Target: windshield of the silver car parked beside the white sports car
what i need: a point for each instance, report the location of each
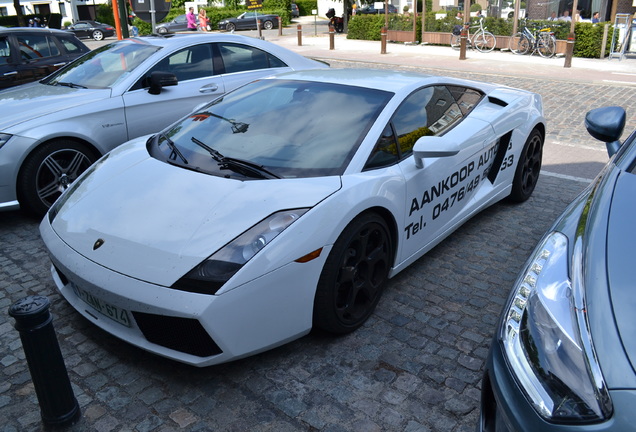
(103, 67)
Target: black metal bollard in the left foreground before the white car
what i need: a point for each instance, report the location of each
(58, 406)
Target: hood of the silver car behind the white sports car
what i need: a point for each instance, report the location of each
(24, 103)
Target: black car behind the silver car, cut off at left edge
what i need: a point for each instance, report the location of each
(28, 54)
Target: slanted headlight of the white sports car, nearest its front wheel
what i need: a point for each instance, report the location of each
(209, 276)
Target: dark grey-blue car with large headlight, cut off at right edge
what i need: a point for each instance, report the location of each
(564, 354)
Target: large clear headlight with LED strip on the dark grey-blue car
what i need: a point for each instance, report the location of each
(546, 339)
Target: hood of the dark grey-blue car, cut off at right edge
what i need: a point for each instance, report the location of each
(621, 238)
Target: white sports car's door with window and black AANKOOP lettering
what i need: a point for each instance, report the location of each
(438, 194)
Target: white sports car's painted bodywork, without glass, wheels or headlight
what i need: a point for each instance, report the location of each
(152, 236)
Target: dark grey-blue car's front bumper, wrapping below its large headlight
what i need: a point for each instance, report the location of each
(504, 407)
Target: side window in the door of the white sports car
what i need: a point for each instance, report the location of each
(427, 111)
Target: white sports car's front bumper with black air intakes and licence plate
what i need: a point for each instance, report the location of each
(196, 329)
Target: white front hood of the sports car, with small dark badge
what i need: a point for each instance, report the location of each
(158, 221)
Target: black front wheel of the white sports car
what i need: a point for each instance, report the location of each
(354, 275)
